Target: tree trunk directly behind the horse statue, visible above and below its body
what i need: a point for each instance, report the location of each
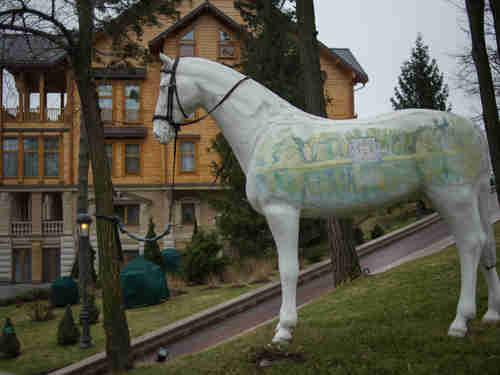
(345, 260)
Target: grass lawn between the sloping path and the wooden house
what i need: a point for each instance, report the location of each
(40, 352)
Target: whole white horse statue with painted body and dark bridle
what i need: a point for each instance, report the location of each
(298, 164)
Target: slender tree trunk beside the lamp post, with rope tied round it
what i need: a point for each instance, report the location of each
(114, 319)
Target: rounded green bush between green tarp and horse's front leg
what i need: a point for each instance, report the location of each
(203, 258)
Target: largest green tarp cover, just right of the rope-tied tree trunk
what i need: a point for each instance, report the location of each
(143, 283)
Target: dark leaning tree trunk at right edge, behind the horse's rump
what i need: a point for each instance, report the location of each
(475, 13)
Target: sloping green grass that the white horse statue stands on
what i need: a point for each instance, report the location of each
(393, 323)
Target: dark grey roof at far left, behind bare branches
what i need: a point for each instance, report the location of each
(28, 50)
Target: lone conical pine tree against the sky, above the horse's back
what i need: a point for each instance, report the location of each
(421, 85)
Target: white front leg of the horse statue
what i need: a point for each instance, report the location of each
(284, 223)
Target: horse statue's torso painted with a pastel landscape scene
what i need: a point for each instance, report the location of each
(324, 166)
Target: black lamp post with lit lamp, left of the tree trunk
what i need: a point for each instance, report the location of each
(84, 220)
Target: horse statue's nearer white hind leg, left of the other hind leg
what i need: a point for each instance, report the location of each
(458, 205)
